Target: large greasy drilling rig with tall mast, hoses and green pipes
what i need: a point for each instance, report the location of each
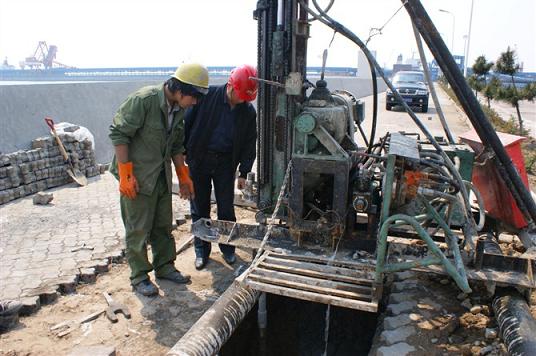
(330, 211)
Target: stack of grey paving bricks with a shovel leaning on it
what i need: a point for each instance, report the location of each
(27, 172)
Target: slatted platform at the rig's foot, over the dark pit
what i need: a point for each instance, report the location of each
(341, 283)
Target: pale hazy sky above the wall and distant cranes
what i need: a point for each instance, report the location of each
(142, 33)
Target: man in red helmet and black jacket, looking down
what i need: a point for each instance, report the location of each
(220, 136)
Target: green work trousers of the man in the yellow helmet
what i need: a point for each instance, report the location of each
(147, 219)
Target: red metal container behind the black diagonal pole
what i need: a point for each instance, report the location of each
(498, 200)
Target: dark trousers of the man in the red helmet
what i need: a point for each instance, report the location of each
(218, 169)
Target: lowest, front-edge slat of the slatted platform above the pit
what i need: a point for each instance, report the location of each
(314, 297)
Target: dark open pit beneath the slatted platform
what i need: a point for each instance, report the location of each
(296, 328)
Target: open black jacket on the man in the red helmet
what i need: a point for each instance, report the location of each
(200, 121)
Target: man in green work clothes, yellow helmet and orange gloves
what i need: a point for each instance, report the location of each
(147, 133)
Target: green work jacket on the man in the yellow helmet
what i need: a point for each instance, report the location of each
(141, 123)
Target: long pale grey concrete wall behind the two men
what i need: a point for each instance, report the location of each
(89, 104)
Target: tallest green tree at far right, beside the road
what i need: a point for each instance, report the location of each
(506, 64)
